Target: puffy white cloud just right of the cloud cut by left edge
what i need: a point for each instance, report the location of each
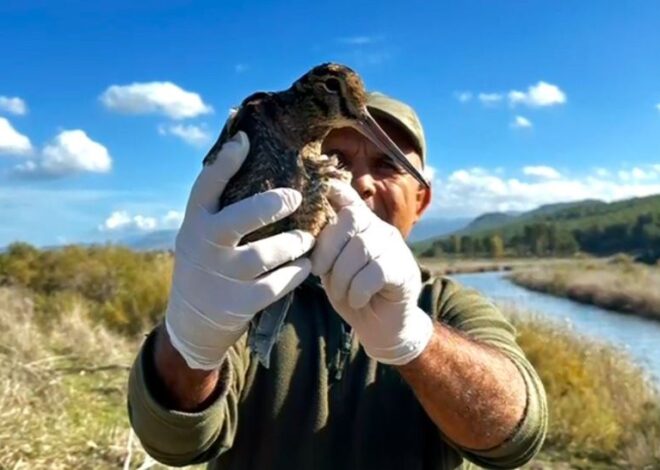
(69, 153)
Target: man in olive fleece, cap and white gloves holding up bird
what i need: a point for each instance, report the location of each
(377, 366)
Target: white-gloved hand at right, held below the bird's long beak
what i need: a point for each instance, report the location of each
(371, 279)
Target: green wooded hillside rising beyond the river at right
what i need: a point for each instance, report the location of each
(631, 225)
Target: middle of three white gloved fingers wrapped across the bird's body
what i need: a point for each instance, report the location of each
(257, 258)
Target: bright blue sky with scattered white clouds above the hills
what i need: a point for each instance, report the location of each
(107, 110)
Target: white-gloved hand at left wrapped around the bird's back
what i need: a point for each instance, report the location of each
(219, 286)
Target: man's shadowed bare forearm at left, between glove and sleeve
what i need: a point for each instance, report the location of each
(183, 388)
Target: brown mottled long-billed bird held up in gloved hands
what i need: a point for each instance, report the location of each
(286, 130)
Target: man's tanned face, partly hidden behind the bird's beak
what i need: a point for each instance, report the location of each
(394, 195)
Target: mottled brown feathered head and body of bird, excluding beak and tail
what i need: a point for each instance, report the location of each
(286, 130)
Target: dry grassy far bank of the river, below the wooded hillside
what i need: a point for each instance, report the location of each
(617, 284)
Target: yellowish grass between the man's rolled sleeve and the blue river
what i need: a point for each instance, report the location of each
(604, 412)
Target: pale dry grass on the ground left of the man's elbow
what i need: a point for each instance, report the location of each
(58, 408)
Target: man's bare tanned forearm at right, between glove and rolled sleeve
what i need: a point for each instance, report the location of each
(473, 393)
